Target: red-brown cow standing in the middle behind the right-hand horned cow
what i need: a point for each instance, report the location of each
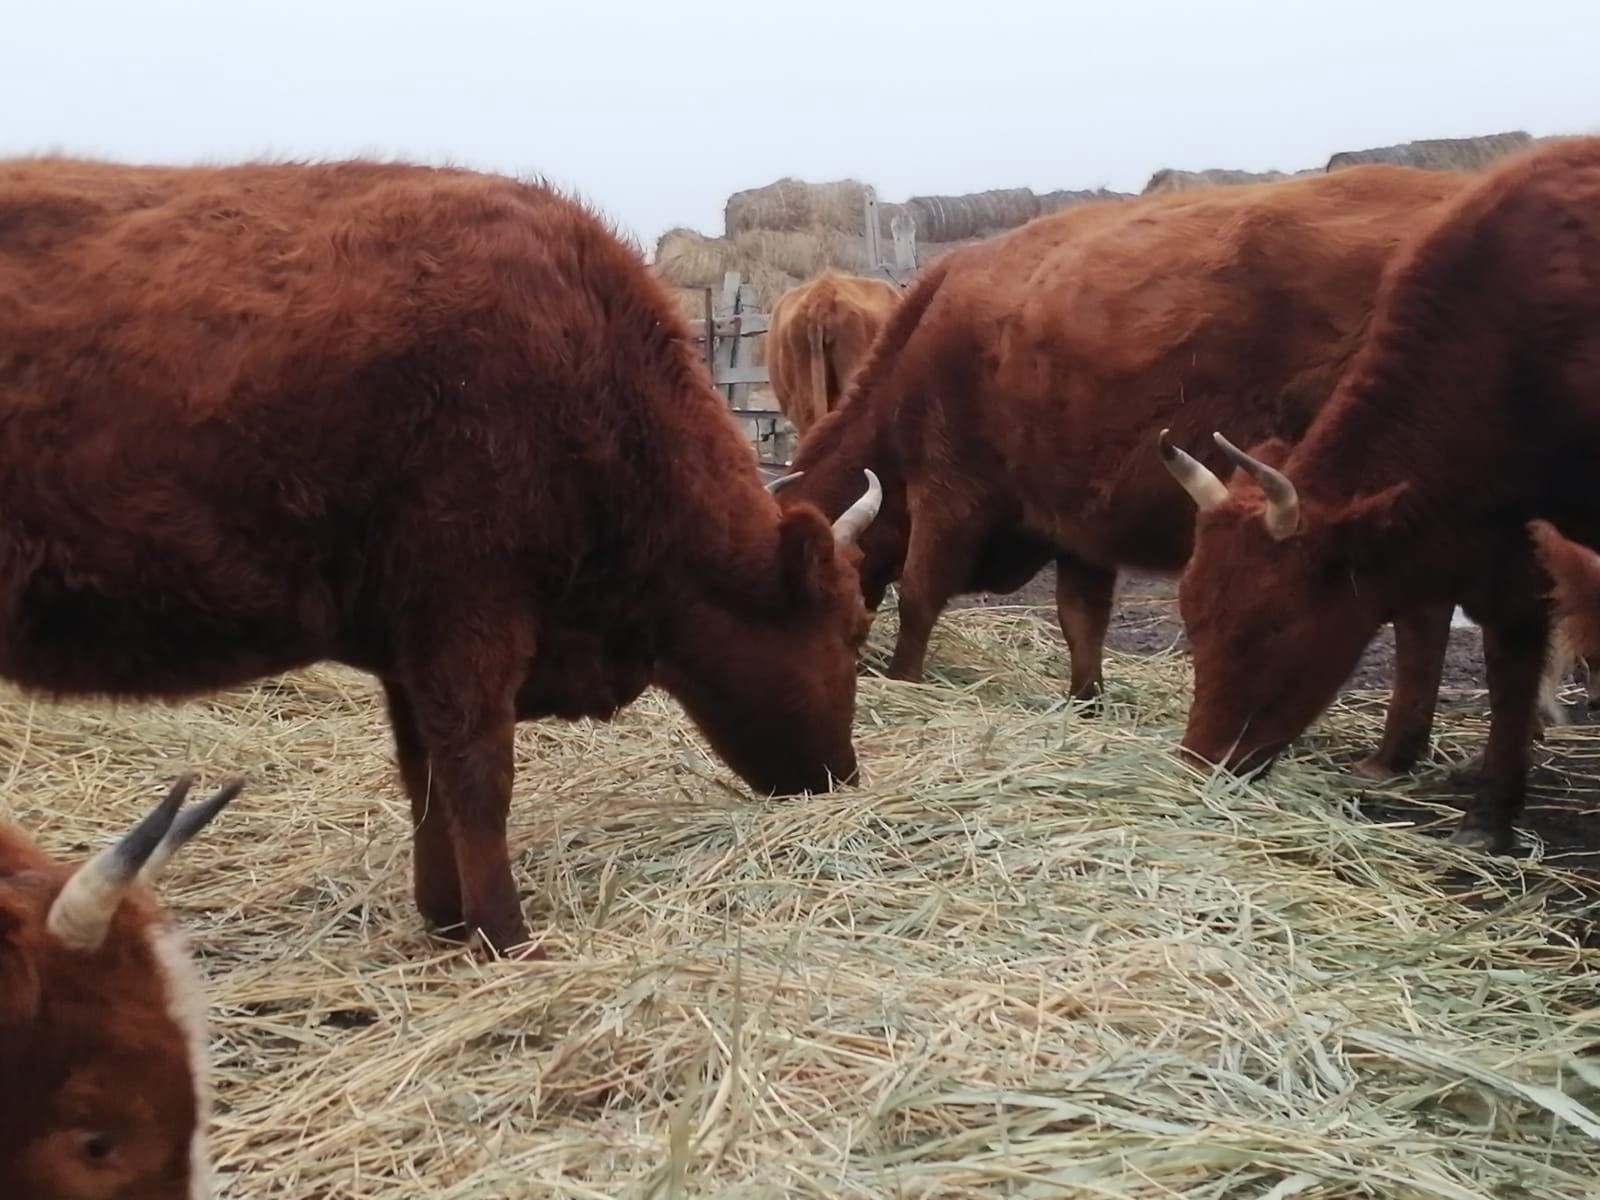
(1012, 402)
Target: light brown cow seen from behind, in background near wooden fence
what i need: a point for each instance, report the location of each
(817, 338)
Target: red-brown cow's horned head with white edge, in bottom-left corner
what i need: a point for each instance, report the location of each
(103, 1038)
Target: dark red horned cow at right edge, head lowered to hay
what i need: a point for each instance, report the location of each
(1473, 406)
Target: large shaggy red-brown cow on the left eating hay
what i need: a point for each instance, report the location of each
(434, 425)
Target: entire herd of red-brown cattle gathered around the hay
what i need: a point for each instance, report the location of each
(447, 428)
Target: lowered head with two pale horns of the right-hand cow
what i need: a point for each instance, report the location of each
(1278, 601)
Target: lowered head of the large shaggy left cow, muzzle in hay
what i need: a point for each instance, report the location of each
(772, 684)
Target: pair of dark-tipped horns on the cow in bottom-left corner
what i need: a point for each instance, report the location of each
(84, 910)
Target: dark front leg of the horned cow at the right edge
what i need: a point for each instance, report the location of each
(1514, 663)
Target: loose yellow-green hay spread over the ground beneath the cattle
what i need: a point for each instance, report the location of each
(1033, 958)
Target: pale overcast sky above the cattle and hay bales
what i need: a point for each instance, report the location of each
(658, 111)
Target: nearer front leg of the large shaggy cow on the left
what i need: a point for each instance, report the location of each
(466, 718)
